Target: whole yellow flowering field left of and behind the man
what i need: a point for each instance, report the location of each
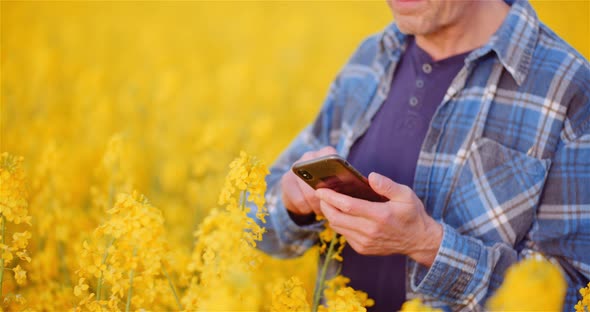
(109, 107)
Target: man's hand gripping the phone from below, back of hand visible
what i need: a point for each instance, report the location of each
(400, 225)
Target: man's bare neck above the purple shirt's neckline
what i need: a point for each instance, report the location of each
(471, 32)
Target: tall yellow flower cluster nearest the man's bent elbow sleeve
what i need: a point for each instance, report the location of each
(224, 256)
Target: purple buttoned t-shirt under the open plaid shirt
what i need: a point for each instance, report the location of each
(390, 147)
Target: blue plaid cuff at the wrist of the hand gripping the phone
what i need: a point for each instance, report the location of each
(451, 276)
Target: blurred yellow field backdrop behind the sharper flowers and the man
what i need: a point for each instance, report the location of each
(178, 89)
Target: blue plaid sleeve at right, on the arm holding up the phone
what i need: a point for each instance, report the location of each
(466, 271)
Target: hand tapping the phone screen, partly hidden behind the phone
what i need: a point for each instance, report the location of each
(298, 197)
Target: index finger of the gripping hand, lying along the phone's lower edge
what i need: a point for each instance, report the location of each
(350, 205)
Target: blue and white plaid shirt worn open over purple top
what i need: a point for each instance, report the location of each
(504, 167)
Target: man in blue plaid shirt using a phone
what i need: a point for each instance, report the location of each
(473, 119)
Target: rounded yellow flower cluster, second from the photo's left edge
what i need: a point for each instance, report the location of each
(125, 258)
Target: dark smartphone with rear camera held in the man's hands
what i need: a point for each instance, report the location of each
(334, 172)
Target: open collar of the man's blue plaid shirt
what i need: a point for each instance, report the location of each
(514, 42)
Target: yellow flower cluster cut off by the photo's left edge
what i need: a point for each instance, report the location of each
(13, 212)
